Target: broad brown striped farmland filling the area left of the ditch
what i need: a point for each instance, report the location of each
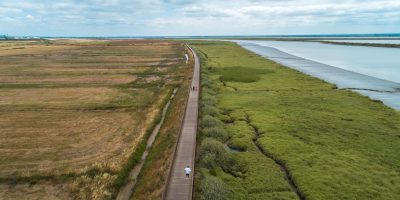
(72, 111)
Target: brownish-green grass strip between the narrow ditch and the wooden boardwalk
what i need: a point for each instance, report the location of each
(153, 176)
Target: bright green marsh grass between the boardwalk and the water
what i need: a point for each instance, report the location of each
(332, 144)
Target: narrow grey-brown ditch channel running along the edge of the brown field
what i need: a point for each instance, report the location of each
(126, 191)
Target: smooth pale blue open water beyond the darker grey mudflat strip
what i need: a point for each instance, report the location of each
(383, 63)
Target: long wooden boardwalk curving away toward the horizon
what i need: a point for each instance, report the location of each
(179, 187)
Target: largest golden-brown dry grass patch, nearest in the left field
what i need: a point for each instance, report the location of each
(55, 142)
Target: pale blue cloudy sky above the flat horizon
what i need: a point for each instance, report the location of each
(197, 17)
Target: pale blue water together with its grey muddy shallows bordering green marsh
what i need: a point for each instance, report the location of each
(371, 71)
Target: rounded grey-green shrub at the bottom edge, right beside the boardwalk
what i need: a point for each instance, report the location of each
(212, 188)
